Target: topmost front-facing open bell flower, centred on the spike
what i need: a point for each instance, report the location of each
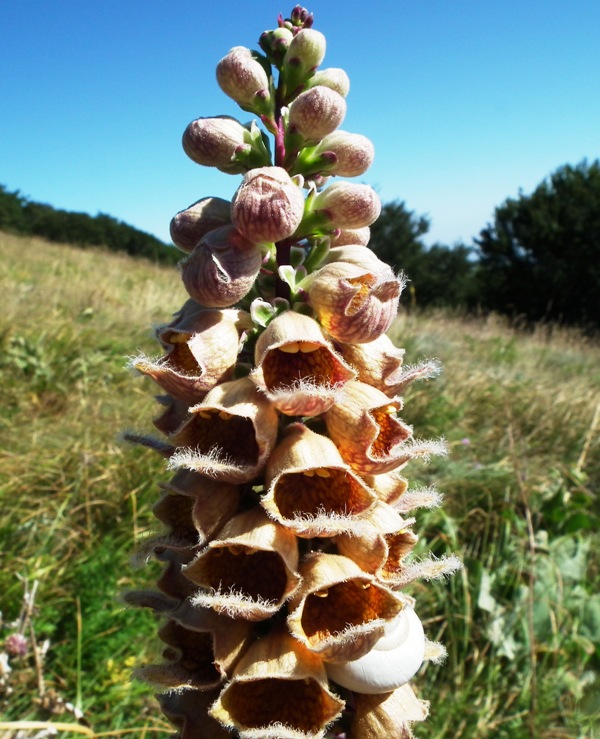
(297, 367)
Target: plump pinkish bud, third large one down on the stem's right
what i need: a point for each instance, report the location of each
(316, 113)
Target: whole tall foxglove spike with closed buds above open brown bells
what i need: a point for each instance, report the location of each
(287, 530)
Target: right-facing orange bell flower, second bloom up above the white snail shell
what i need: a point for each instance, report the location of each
(382, 544)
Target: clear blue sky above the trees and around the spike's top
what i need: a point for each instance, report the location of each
(466, 101)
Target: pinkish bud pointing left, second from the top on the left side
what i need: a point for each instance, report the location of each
(214, 142)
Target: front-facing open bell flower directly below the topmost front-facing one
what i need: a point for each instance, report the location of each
(311, 490)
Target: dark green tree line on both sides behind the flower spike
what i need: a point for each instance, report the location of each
(538, 260)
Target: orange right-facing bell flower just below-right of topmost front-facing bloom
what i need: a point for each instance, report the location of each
(364, 427)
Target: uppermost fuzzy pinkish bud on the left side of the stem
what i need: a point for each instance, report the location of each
(241, 76)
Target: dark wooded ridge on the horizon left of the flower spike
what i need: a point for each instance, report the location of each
(19, 215)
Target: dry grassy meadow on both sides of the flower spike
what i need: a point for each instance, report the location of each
(521, 415)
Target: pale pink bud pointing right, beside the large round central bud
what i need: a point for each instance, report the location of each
(348, 205)
